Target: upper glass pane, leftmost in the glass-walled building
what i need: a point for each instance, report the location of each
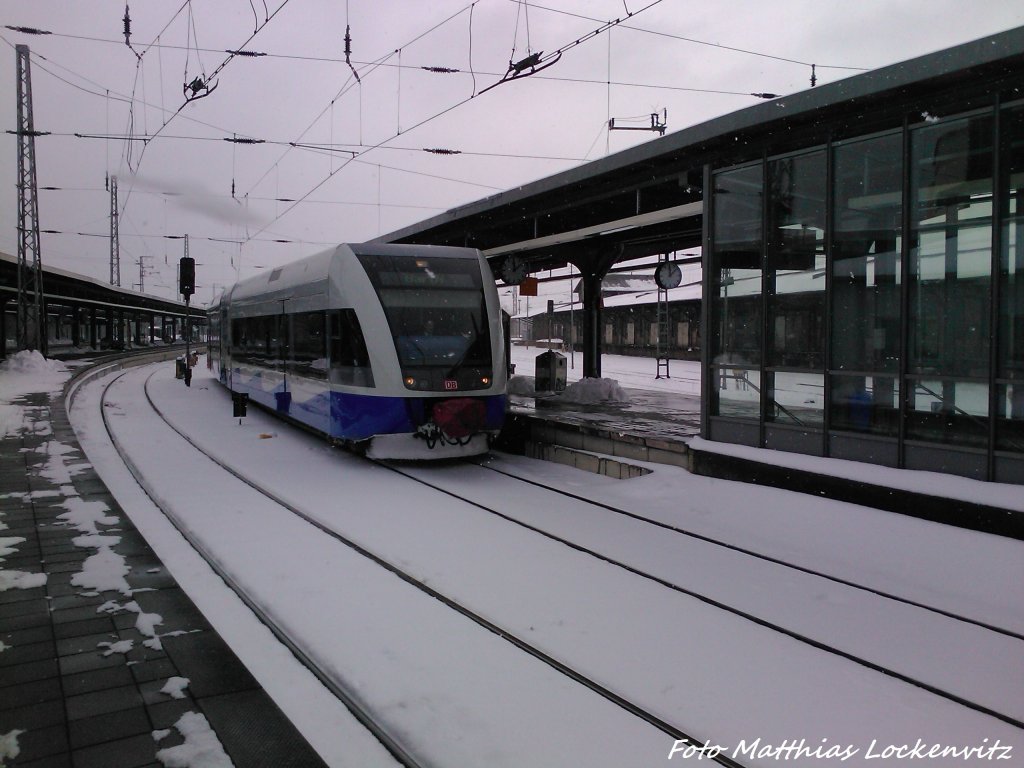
(738, 201)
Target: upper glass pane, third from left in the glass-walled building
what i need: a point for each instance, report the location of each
(866, 255)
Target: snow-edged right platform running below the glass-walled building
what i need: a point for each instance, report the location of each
(663, 428)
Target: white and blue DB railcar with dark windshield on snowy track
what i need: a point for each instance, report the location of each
(397, 352)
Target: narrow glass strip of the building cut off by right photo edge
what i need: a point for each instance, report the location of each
(1010, 424)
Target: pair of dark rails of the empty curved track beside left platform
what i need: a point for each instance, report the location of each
(396, 746)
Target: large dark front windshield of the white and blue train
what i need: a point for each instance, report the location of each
(436, 311)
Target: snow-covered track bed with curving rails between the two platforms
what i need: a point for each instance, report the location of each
(456, 694)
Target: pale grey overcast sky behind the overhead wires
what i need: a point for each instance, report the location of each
(697, 61)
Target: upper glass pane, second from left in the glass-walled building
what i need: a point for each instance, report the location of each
(797, 262)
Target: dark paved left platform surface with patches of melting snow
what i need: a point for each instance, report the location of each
(78, 706)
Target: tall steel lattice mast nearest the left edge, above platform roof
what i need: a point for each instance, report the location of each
(31, 321)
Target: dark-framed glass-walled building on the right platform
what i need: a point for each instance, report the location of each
(866, 294)
